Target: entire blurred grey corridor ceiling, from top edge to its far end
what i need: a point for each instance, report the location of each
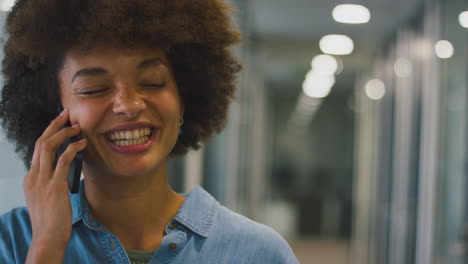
(287, 32)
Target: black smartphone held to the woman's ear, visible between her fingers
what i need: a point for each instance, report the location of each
(74, 174)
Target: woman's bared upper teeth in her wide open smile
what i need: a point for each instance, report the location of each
(124, 138)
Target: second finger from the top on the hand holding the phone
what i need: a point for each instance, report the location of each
(50, 146)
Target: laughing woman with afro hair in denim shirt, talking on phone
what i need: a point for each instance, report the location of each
(140, 81)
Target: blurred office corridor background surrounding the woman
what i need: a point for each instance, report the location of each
(348, 134)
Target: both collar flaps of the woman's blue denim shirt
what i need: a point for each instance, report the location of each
(197, 212)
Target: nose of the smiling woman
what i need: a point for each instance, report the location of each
(129, 102)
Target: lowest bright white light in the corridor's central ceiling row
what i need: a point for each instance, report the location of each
(317, 85)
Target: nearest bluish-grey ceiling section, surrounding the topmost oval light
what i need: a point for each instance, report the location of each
(310, 19)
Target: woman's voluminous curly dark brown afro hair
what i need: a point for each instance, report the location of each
(195, 35)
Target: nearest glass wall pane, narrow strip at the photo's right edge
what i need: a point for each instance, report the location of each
(451, 236)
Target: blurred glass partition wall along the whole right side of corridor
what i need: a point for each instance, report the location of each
(410, 189)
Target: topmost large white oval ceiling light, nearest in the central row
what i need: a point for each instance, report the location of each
(351, 14)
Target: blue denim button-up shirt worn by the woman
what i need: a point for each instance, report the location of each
(203, 231)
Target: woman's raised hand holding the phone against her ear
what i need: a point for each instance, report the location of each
(46, 190)
